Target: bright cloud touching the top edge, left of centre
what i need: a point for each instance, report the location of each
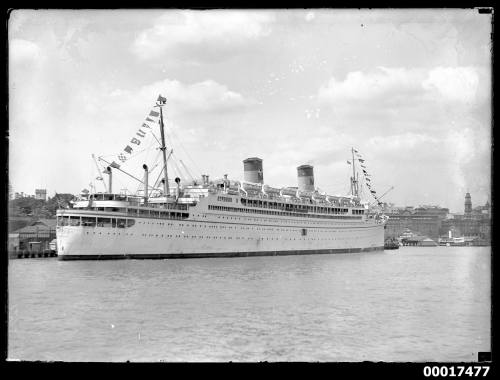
(212, 29)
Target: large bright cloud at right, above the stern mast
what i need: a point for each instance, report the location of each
(416, 100)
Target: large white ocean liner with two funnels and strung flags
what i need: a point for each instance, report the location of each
(216, 218)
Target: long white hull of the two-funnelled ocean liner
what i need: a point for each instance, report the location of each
(190, 238)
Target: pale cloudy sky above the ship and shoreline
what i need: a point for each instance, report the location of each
(409, 89)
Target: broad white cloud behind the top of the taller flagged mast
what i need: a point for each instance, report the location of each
(187, 107)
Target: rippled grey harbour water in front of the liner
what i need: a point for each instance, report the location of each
(412, 304)
